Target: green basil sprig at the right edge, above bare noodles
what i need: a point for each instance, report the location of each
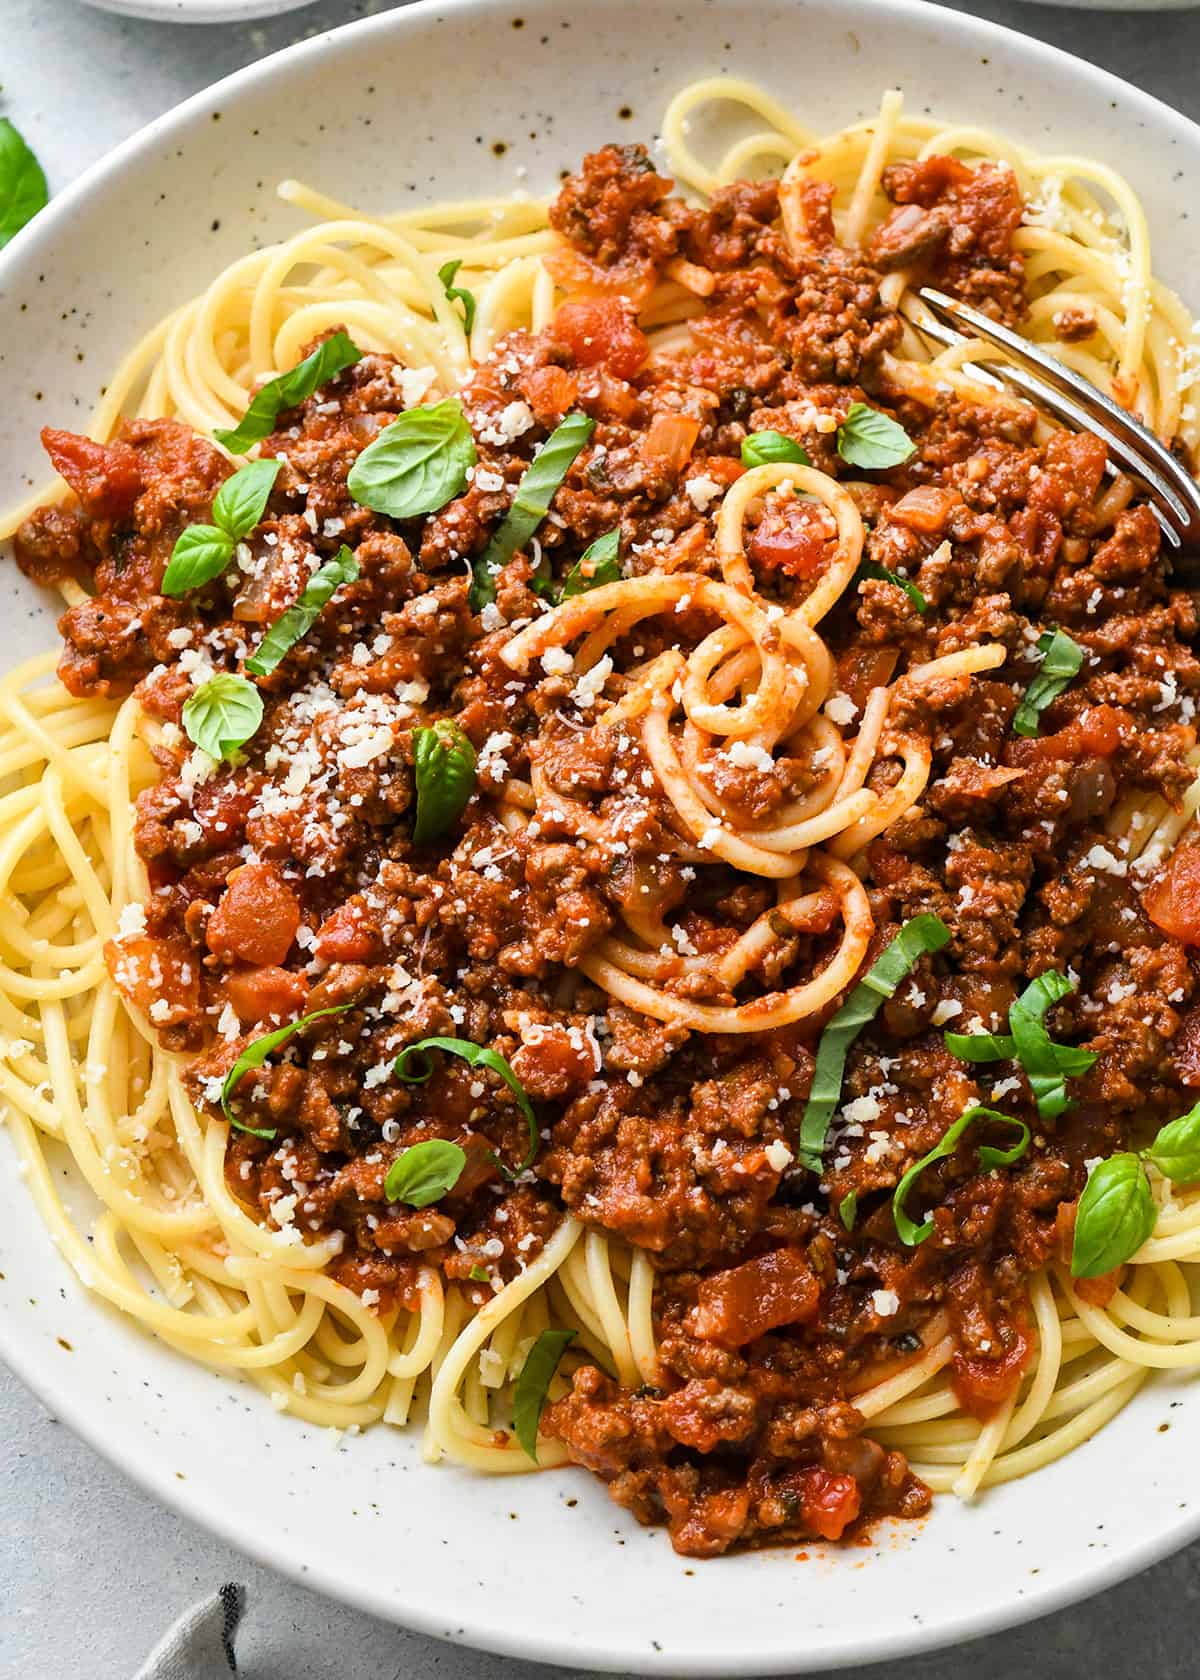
(1117, 1212)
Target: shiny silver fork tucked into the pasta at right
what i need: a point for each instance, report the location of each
(1171, 490)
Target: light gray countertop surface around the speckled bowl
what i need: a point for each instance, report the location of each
(78, 81)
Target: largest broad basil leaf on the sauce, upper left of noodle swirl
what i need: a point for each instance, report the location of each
(418, 463)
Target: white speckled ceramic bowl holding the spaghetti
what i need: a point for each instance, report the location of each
(389, 112)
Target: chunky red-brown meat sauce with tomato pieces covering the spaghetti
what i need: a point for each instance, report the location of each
(290, 885)
